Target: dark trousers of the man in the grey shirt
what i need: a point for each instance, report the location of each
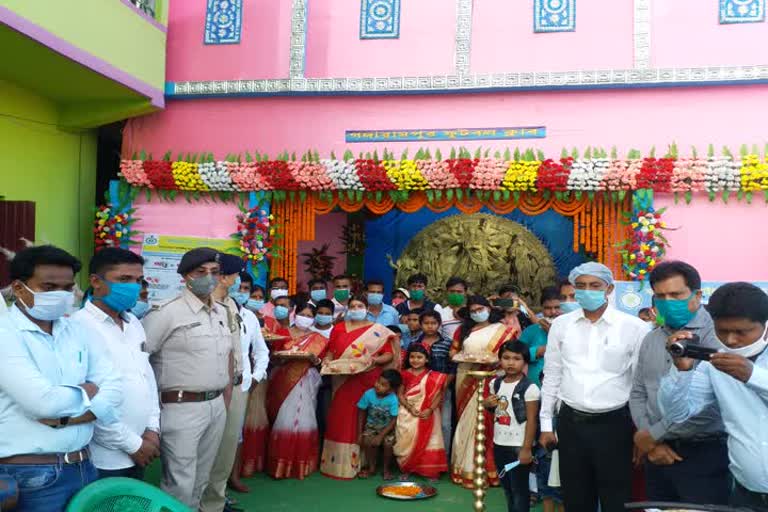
(702, 477)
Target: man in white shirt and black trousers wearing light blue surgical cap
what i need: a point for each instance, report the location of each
(590, 358)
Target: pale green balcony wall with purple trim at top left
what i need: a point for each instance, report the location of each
(107, 29)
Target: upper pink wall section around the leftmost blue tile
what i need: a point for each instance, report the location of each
(262, 53)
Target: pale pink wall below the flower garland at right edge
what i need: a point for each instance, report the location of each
(714, 237)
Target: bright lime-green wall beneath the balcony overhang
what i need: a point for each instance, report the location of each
(53, 168)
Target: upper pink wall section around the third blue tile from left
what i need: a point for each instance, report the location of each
(503, 38)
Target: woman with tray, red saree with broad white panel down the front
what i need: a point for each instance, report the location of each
(294, 442)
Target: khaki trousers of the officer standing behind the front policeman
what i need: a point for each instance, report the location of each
(215, 493)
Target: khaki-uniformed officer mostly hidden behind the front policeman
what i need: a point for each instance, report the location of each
(214, 497)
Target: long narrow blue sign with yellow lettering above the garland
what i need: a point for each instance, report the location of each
(436, 134)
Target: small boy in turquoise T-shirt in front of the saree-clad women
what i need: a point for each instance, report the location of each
(377, 413)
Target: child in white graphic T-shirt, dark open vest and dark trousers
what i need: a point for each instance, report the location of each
(515, 403)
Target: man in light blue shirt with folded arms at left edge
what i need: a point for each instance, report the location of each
(55, 382)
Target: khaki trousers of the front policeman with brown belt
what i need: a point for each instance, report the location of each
(191, 435)
